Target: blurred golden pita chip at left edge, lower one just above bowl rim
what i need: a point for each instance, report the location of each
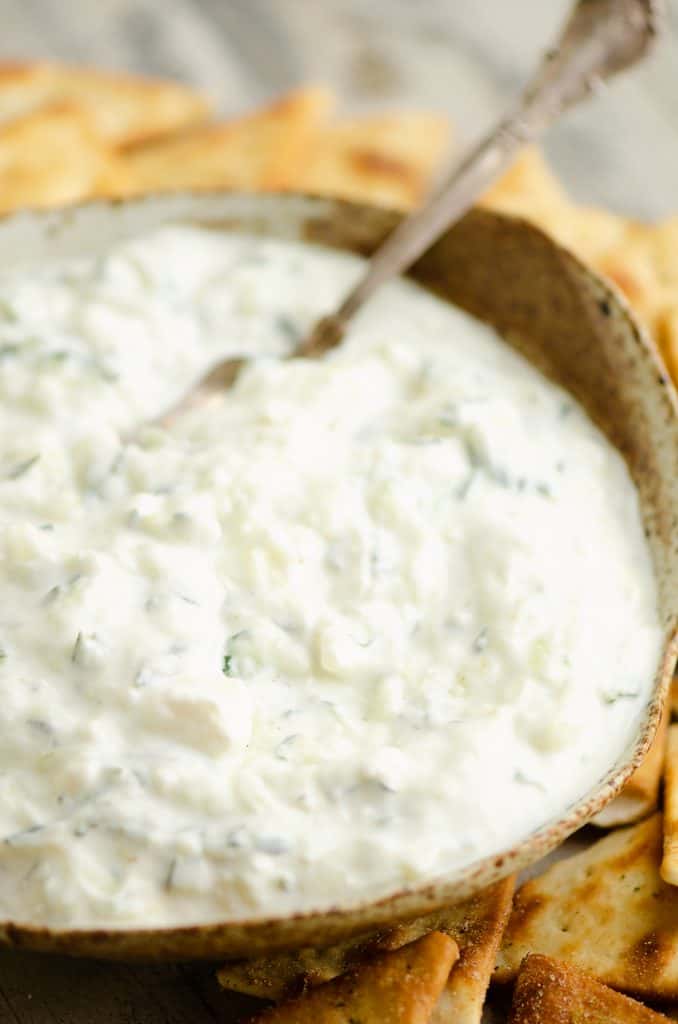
(50, 158)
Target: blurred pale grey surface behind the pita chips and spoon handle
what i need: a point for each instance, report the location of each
(468, 58)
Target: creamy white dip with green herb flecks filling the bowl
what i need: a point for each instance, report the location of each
(354, 624)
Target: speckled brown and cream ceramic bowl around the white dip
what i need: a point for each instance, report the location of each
(570, 324)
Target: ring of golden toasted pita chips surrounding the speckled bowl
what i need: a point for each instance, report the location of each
(594, 931)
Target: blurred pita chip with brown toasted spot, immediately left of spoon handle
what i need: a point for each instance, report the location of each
(387, 159)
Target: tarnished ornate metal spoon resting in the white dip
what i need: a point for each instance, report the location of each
(600, 39)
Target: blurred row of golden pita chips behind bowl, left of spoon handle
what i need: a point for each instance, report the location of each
(69, 135)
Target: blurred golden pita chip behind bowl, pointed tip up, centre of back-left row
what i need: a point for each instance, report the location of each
(253, 153)
